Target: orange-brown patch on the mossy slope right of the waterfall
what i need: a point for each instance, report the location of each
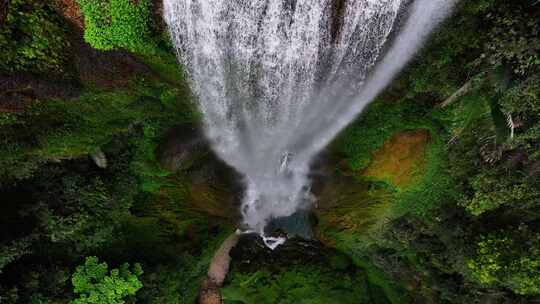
(401, 159)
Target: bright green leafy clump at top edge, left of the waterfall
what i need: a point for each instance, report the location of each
(112, 24)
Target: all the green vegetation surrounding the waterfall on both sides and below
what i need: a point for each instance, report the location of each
(92, 211)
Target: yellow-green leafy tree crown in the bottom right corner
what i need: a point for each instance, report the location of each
(503, 260)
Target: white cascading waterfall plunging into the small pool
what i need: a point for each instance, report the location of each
(277, 80)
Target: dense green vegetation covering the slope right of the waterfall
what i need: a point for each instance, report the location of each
(477, 85)
